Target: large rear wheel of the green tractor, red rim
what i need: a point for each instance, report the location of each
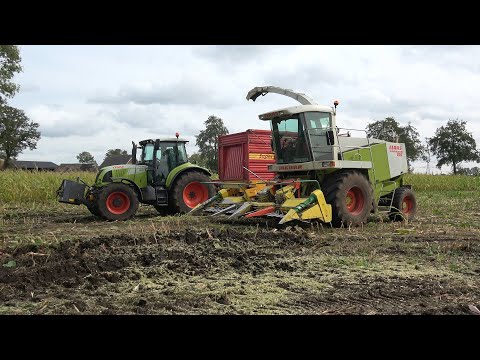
(191, 178)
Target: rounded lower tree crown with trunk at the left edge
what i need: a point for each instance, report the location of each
(17, 132)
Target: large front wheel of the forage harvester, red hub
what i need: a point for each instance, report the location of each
(351, 186)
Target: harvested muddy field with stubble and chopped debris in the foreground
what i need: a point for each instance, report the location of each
(68, 262)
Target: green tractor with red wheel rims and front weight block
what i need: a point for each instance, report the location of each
(163, 177)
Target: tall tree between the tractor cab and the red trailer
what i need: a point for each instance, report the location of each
(207, 141)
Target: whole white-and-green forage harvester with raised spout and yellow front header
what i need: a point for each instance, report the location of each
(323, 172)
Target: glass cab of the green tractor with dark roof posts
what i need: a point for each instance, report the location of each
(161, 156)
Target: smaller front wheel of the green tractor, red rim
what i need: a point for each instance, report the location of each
(117, 202)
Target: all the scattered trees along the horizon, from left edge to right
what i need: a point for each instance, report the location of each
(451, 144)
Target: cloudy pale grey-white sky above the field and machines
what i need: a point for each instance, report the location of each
(94, 98)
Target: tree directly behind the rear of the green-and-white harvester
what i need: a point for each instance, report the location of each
(390, 130)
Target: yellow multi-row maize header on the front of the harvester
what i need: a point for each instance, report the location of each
(268, 199)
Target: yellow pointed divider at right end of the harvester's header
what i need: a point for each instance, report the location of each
(315, 207)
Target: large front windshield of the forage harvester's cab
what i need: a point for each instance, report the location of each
(289, 139)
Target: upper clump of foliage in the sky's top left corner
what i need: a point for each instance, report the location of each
(9, 66)
